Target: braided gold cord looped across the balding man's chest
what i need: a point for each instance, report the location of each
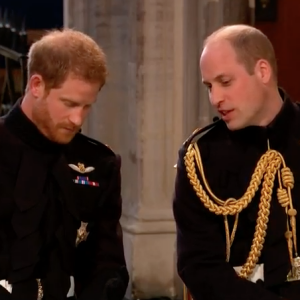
(270, 164)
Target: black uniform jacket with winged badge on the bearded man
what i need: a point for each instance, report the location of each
(46, 192)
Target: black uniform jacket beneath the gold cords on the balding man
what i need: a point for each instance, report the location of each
(229, 159)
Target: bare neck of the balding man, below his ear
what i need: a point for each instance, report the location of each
(273, 105)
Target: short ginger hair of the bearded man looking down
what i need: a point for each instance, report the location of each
(61, 53)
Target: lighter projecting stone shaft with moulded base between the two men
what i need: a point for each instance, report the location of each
(155, 75)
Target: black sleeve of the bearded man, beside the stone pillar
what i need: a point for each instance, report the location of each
(109, 278)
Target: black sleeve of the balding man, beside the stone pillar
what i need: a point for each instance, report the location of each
(201, 249)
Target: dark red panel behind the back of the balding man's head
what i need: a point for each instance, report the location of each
(285, 36)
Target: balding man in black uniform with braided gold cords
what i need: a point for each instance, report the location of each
(237, 187)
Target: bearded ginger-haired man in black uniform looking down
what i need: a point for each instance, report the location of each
(60, 191)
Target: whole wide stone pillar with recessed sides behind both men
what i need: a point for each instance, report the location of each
(152, 101)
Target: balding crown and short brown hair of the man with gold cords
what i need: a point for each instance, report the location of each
(249, 43)
